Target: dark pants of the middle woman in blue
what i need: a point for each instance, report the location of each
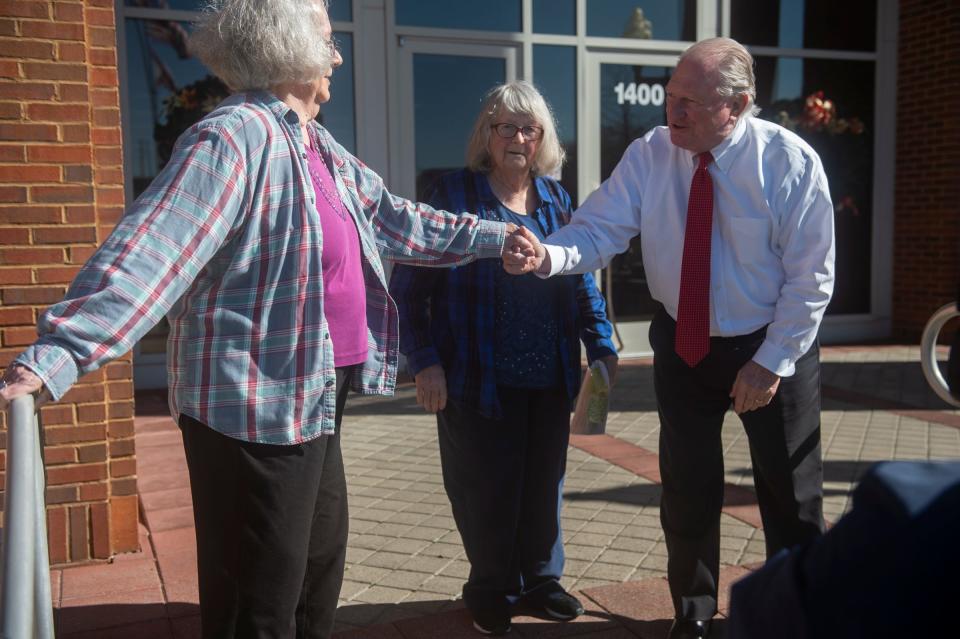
(504, 479)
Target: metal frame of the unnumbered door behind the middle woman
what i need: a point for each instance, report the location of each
(407, 46)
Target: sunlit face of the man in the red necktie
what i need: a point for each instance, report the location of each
(699, 118)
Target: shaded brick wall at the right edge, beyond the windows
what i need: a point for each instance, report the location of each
(927, 206)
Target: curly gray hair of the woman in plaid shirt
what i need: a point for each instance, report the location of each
(256, 44)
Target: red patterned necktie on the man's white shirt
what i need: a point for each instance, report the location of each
(692, 341)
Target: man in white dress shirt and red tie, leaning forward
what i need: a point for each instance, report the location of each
(736, 228)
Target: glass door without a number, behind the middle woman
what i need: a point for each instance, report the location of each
(442, 85)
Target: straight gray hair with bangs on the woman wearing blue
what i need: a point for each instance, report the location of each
(518, 98)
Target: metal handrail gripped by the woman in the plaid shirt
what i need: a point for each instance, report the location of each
(26, 608)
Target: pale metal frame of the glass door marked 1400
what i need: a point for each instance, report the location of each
(632, 338)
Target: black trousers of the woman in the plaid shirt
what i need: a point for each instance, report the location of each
(271, 527)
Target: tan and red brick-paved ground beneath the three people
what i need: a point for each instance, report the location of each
(405, 564)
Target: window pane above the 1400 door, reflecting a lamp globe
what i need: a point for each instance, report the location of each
(642, 19)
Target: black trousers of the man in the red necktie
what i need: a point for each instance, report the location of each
(784, 439)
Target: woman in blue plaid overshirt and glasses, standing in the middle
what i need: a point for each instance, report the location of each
(497, 357)
